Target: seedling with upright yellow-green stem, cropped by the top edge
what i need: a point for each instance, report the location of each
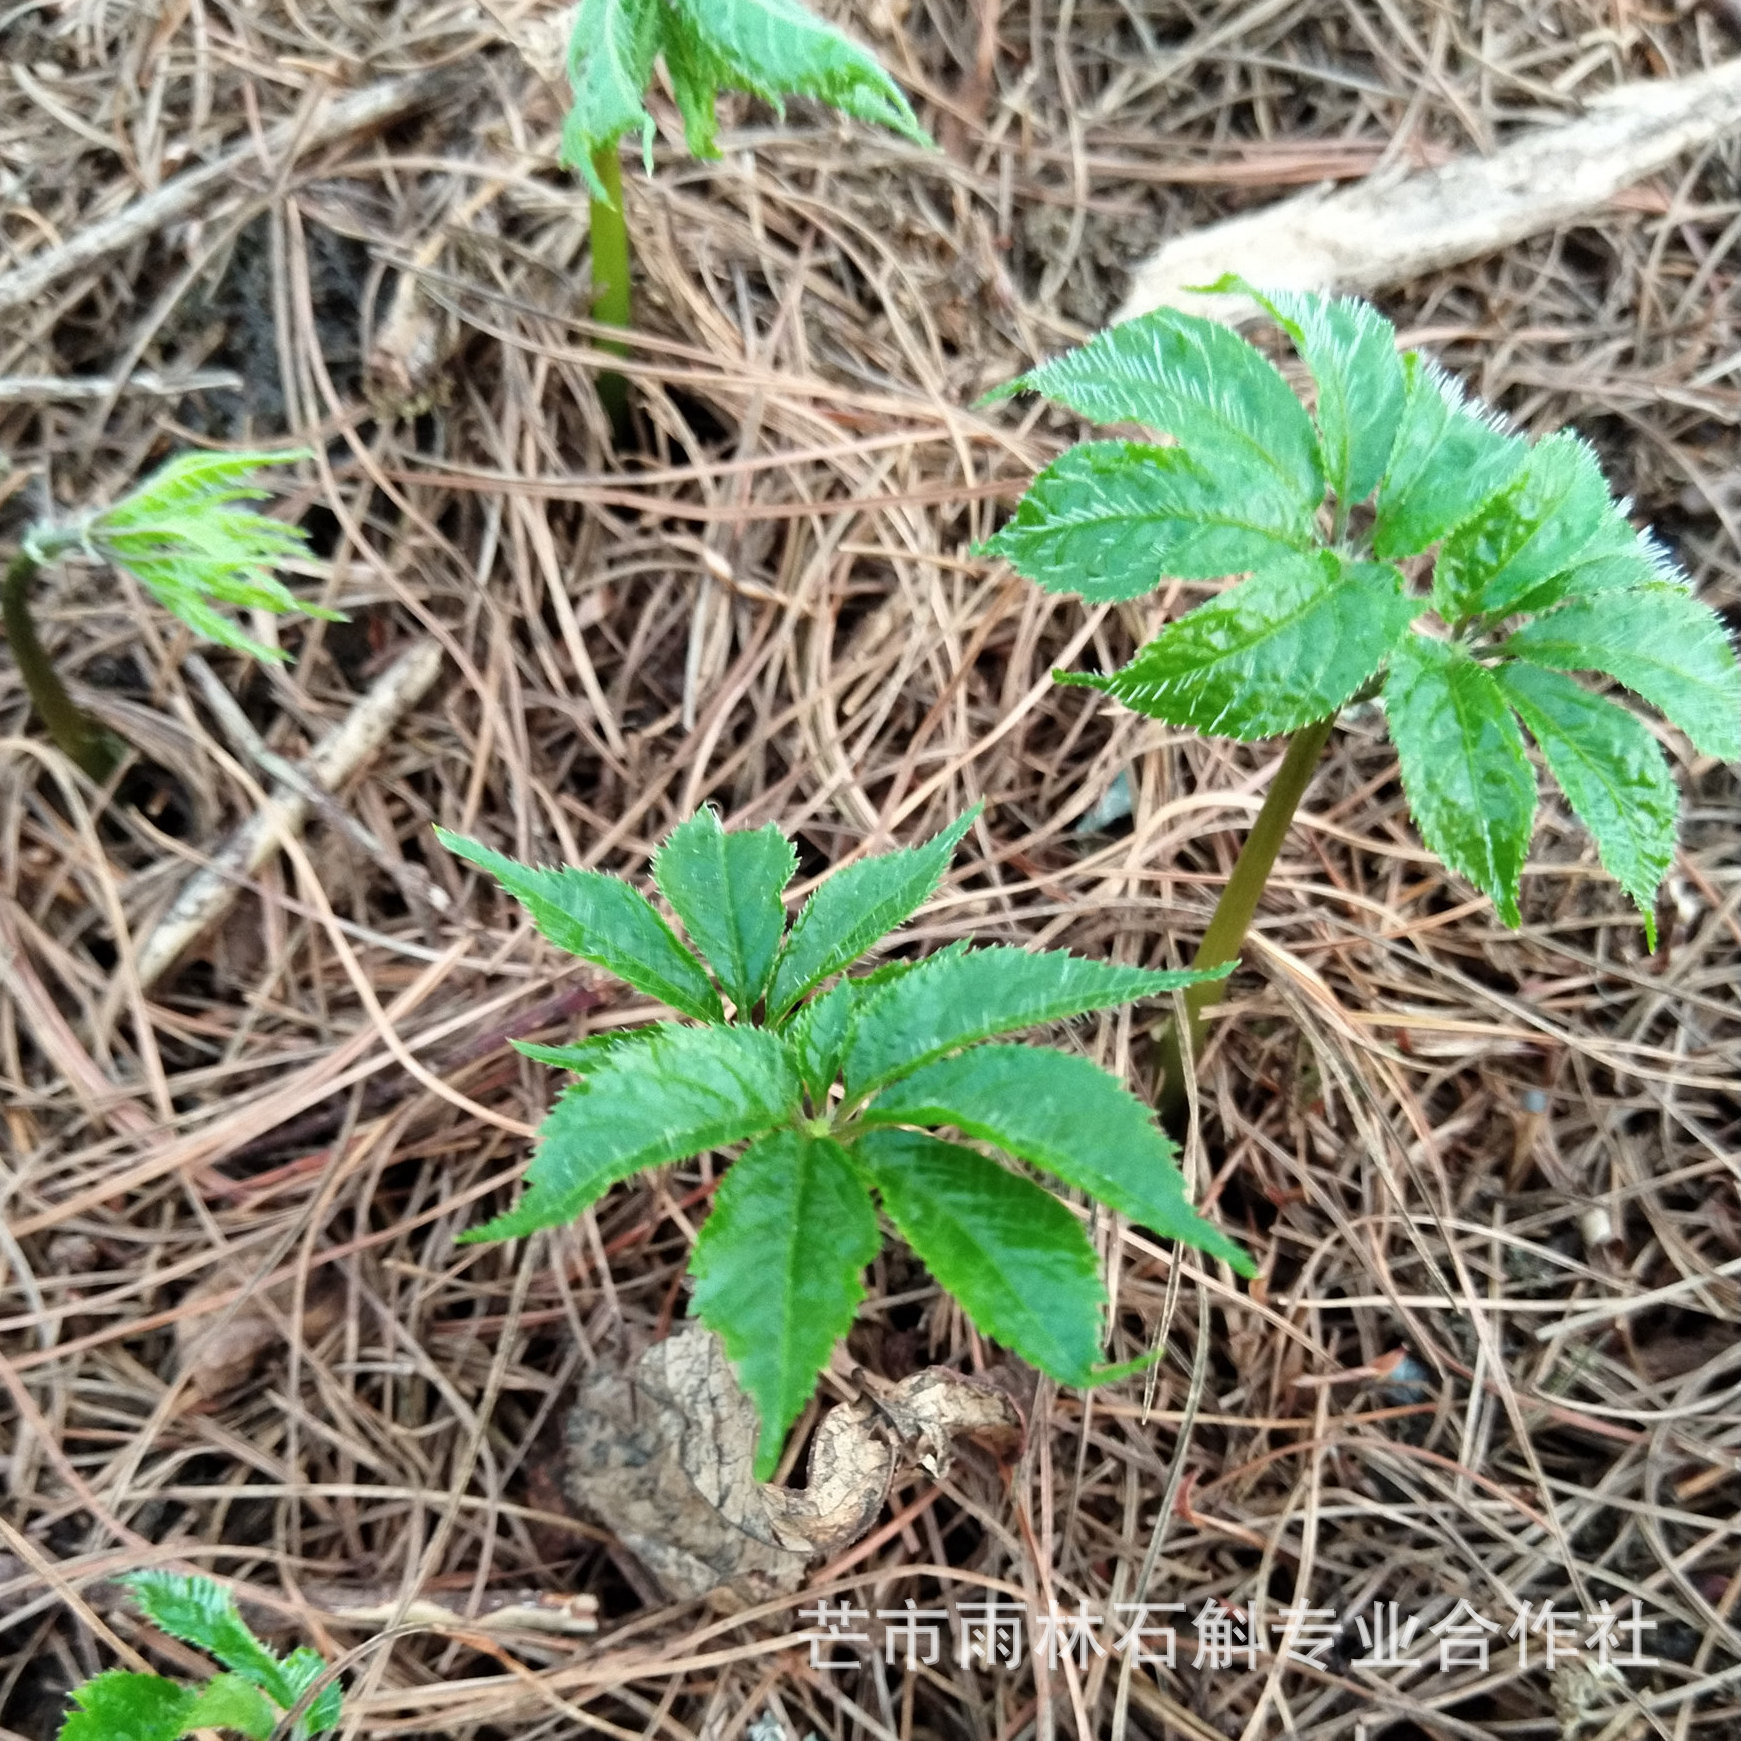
(767, 48)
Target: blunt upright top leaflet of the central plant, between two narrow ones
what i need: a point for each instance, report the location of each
(727, 891)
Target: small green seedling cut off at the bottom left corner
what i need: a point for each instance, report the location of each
(255, 1695)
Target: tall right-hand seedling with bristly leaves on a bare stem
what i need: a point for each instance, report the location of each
(1399, 544)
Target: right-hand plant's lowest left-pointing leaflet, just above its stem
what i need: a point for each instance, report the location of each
(1270, 655)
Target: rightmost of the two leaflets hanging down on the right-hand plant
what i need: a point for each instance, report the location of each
(1610, 769)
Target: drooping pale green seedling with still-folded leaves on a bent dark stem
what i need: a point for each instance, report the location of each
(185, 539)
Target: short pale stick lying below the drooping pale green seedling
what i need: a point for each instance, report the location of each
(210, 894)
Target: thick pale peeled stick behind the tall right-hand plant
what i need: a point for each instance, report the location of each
(1388, 231)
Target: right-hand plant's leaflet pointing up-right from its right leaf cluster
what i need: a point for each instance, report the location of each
(1519, 541)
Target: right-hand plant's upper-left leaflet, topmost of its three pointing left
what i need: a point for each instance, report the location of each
(1220, 398)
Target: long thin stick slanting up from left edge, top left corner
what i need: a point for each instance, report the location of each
(187, 192)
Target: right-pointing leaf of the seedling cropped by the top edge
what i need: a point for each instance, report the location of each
(777, 50)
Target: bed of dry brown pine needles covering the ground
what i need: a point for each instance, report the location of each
(1491, 1176)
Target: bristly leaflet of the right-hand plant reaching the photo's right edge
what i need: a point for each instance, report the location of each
(1658, 642)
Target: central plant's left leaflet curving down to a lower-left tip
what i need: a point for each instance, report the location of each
(675, 1096)
